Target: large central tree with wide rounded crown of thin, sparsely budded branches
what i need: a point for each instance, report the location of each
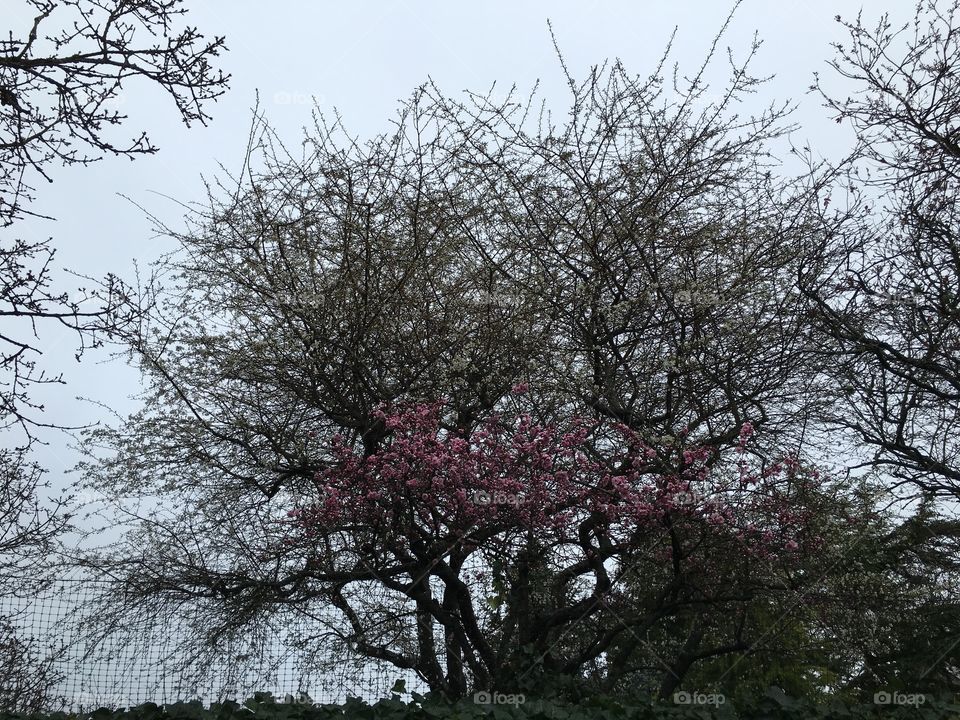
(639, 267)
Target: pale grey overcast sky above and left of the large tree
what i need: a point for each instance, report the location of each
(362, 58)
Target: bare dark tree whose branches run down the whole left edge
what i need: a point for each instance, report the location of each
(57, 94)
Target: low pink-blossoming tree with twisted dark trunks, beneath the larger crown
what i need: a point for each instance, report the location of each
(508, 551)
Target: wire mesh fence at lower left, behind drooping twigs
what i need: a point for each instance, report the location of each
(58, 653)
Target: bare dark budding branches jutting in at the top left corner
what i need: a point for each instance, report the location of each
(58, 91)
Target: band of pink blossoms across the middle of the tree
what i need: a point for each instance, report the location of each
(429, 477)
